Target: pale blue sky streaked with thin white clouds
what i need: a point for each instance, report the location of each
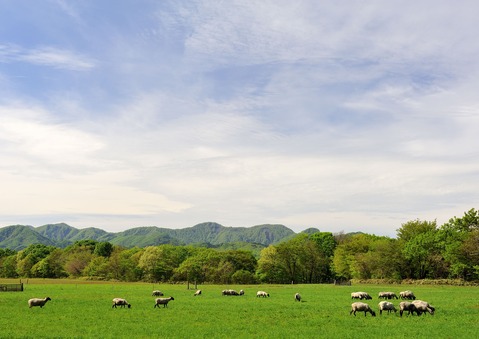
(344, 116)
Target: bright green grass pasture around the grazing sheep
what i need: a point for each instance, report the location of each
(80, 309)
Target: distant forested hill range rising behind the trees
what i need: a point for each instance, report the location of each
(17, 237)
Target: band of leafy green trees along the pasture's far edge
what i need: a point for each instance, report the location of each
(421, 250)
